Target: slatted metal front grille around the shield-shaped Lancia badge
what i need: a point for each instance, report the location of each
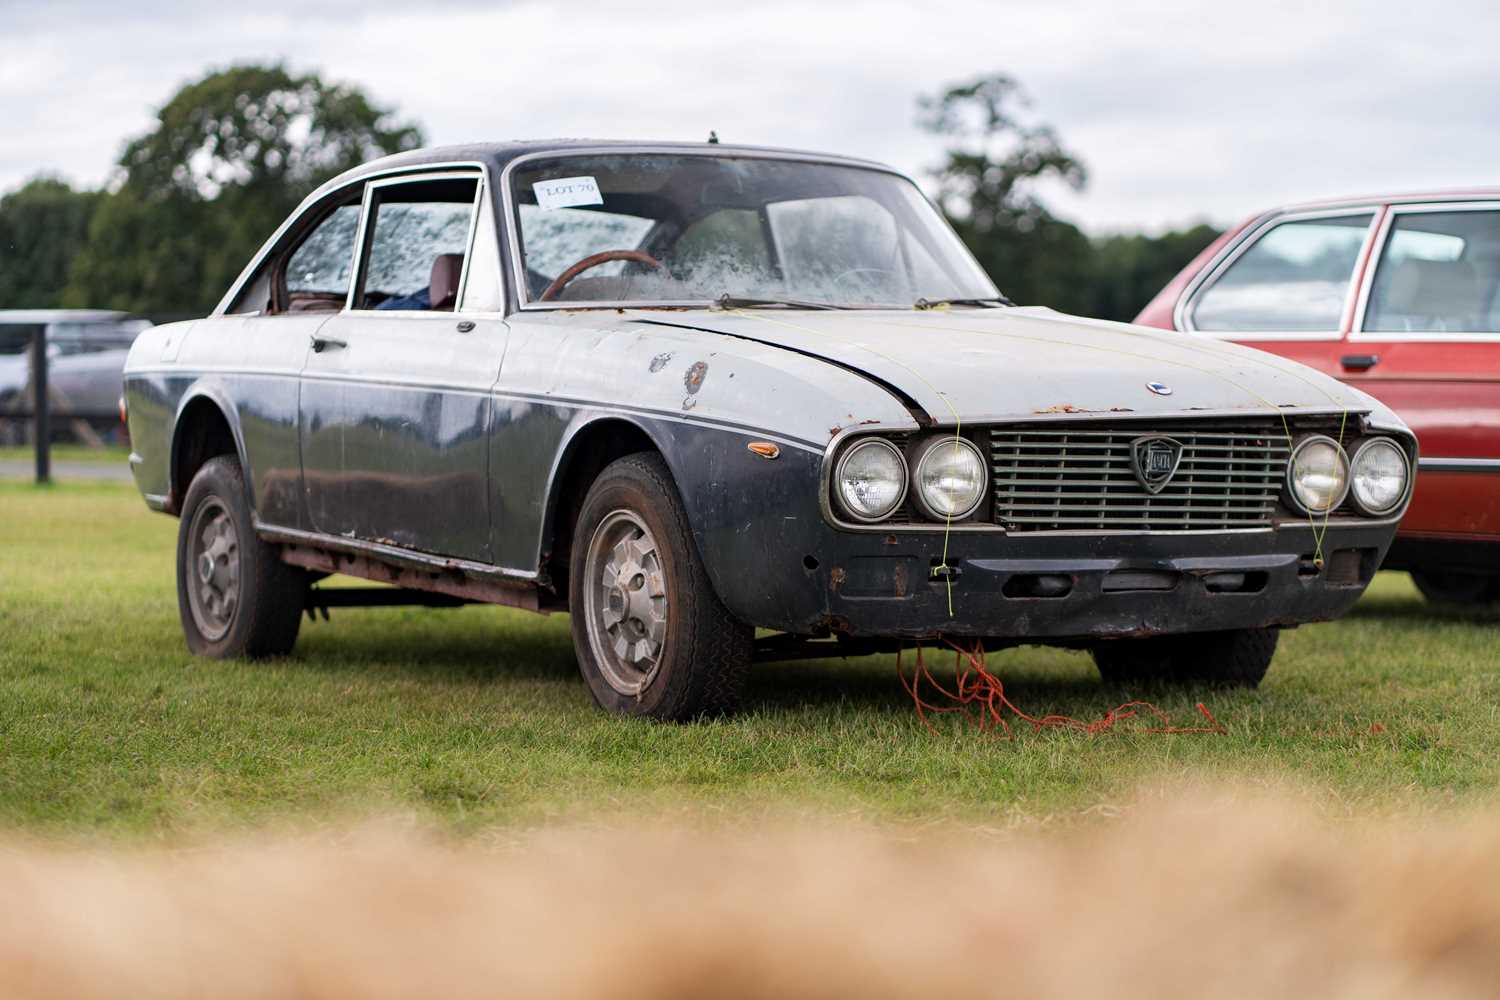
(1079, 478)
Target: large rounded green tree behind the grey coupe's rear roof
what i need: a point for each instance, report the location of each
(232, 155)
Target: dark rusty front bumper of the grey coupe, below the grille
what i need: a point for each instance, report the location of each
(1061, 588)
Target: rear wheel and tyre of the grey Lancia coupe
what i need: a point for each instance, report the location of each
(235, 594)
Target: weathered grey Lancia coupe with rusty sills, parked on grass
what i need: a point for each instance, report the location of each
(694, 392)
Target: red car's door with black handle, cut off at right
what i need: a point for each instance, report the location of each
(1427, 344)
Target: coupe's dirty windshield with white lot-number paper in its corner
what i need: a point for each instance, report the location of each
(646, 229)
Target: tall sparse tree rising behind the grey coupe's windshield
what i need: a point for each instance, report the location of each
(988, 188)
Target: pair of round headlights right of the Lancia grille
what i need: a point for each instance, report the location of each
(1321, 476)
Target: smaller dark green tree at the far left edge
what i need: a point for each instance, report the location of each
(43, 227)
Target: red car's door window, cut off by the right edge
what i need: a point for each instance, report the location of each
(1439, 274)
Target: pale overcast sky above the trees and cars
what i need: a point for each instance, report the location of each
(1183, 112)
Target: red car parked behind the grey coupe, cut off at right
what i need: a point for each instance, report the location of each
(1400, 298)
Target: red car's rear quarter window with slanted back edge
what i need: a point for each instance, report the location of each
(1295, 278)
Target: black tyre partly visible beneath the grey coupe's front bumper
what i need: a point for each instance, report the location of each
(1237, 659)
